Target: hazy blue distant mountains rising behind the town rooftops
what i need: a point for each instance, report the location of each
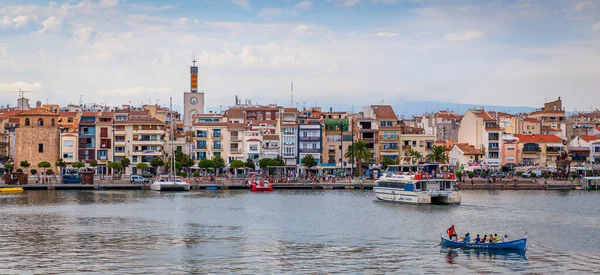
(412, 108)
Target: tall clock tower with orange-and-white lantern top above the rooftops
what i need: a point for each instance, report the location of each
(193, 101)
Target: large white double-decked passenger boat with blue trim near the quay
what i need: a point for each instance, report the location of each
(418, 184)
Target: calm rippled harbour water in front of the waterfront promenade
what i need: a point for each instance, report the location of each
(142, 232)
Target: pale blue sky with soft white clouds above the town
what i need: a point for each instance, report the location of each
(358, 52)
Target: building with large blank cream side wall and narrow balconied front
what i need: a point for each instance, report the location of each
(481, 130)
